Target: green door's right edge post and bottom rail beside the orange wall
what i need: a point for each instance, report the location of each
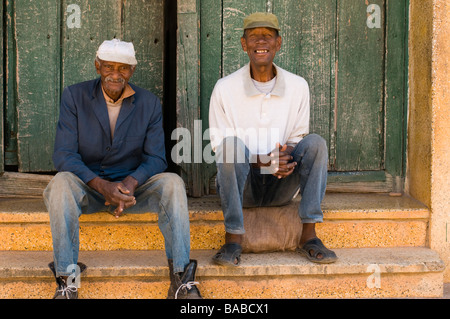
(391, 179)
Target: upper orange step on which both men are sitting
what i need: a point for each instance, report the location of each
(350, 221)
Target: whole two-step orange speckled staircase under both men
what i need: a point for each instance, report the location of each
(381, 242)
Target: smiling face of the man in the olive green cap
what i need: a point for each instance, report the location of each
(261, 45)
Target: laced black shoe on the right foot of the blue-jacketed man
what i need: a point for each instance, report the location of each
(183, 285)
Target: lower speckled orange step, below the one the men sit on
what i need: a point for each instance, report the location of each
(411, 272)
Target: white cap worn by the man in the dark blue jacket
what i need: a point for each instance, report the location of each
(117, 51)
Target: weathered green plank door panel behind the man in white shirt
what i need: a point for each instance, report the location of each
(323, 40)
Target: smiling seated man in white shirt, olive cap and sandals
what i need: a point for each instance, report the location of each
(259, 128)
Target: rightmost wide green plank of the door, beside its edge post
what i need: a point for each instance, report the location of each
(360, 91)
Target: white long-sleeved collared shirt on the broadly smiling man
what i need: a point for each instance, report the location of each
(238, 108)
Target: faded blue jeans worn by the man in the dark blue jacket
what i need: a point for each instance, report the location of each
(67, 197)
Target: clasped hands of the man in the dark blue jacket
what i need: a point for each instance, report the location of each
(117, 194)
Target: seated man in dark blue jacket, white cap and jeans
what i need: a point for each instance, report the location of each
(110, 155)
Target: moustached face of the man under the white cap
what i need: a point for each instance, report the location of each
(114, 76)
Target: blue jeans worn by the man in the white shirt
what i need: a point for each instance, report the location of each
(241, 185)
